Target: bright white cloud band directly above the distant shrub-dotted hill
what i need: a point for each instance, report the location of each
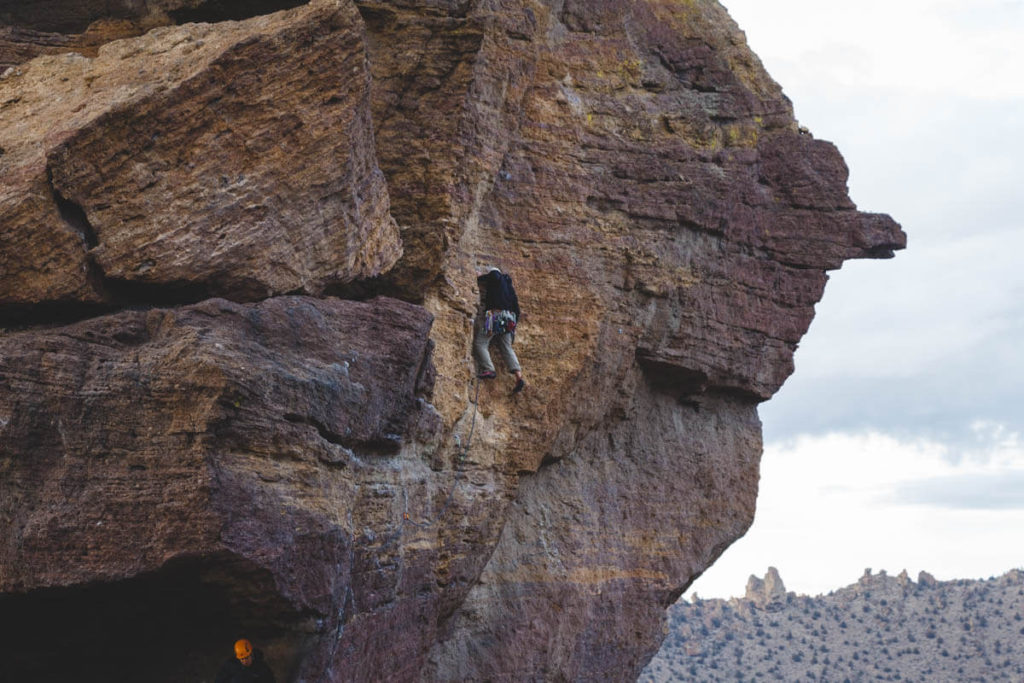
(834, 505)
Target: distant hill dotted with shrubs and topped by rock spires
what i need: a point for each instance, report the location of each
(880, 629)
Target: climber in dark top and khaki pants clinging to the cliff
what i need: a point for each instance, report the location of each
(497, 316)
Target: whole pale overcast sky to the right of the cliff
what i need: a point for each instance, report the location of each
(898, 443)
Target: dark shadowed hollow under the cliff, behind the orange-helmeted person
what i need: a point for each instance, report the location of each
(178, 624)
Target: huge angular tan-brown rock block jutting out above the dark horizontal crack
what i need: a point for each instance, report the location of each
(169, 180)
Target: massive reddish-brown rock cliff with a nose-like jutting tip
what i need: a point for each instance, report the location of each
(238, 280)
